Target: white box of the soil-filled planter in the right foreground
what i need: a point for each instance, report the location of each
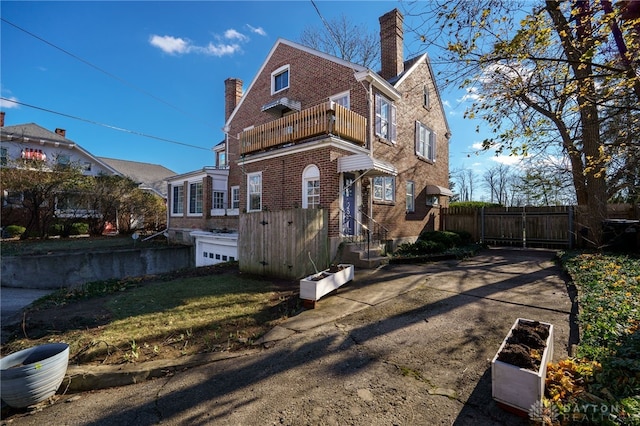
(519, 388)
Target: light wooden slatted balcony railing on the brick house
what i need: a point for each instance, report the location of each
(325, 119)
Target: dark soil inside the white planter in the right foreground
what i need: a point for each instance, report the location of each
(525, 346)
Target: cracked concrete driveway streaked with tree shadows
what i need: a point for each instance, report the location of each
(437, 324)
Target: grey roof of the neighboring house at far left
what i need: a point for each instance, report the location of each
(31, 132)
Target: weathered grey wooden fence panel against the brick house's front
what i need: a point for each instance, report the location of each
(282, 243)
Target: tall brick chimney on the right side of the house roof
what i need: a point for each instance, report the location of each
(391, 39)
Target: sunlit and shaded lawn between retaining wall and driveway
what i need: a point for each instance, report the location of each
(193, 311)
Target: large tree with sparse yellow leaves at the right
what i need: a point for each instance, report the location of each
(546, 73)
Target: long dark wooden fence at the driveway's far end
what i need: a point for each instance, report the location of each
(550, 226)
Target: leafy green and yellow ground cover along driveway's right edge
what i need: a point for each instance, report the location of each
(606, 371)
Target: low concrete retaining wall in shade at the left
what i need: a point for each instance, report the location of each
(72, 270)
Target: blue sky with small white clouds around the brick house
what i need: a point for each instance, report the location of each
(157, 68)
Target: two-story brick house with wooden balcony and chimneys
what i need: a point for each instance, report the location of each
(315, 131)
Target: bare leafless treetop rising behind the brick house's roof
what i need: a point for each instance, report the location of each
(344, 39)
